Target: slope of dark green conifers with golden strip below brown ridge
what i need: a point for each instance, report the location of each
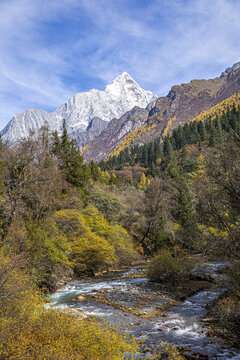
(211, 126)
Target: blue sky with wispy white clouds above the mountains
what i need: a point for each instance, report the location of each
(52, 49)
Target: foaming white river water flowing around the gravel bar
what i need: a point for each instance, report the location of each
(180, 325)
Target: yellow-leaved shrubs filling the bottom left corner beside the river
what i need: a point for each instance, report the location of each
(28, 330)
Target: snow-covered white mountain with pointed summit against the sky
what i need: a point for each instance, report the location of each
(114, 101)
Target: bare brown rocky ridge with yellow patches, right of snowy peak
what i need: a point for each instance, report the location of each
(183, 103)
